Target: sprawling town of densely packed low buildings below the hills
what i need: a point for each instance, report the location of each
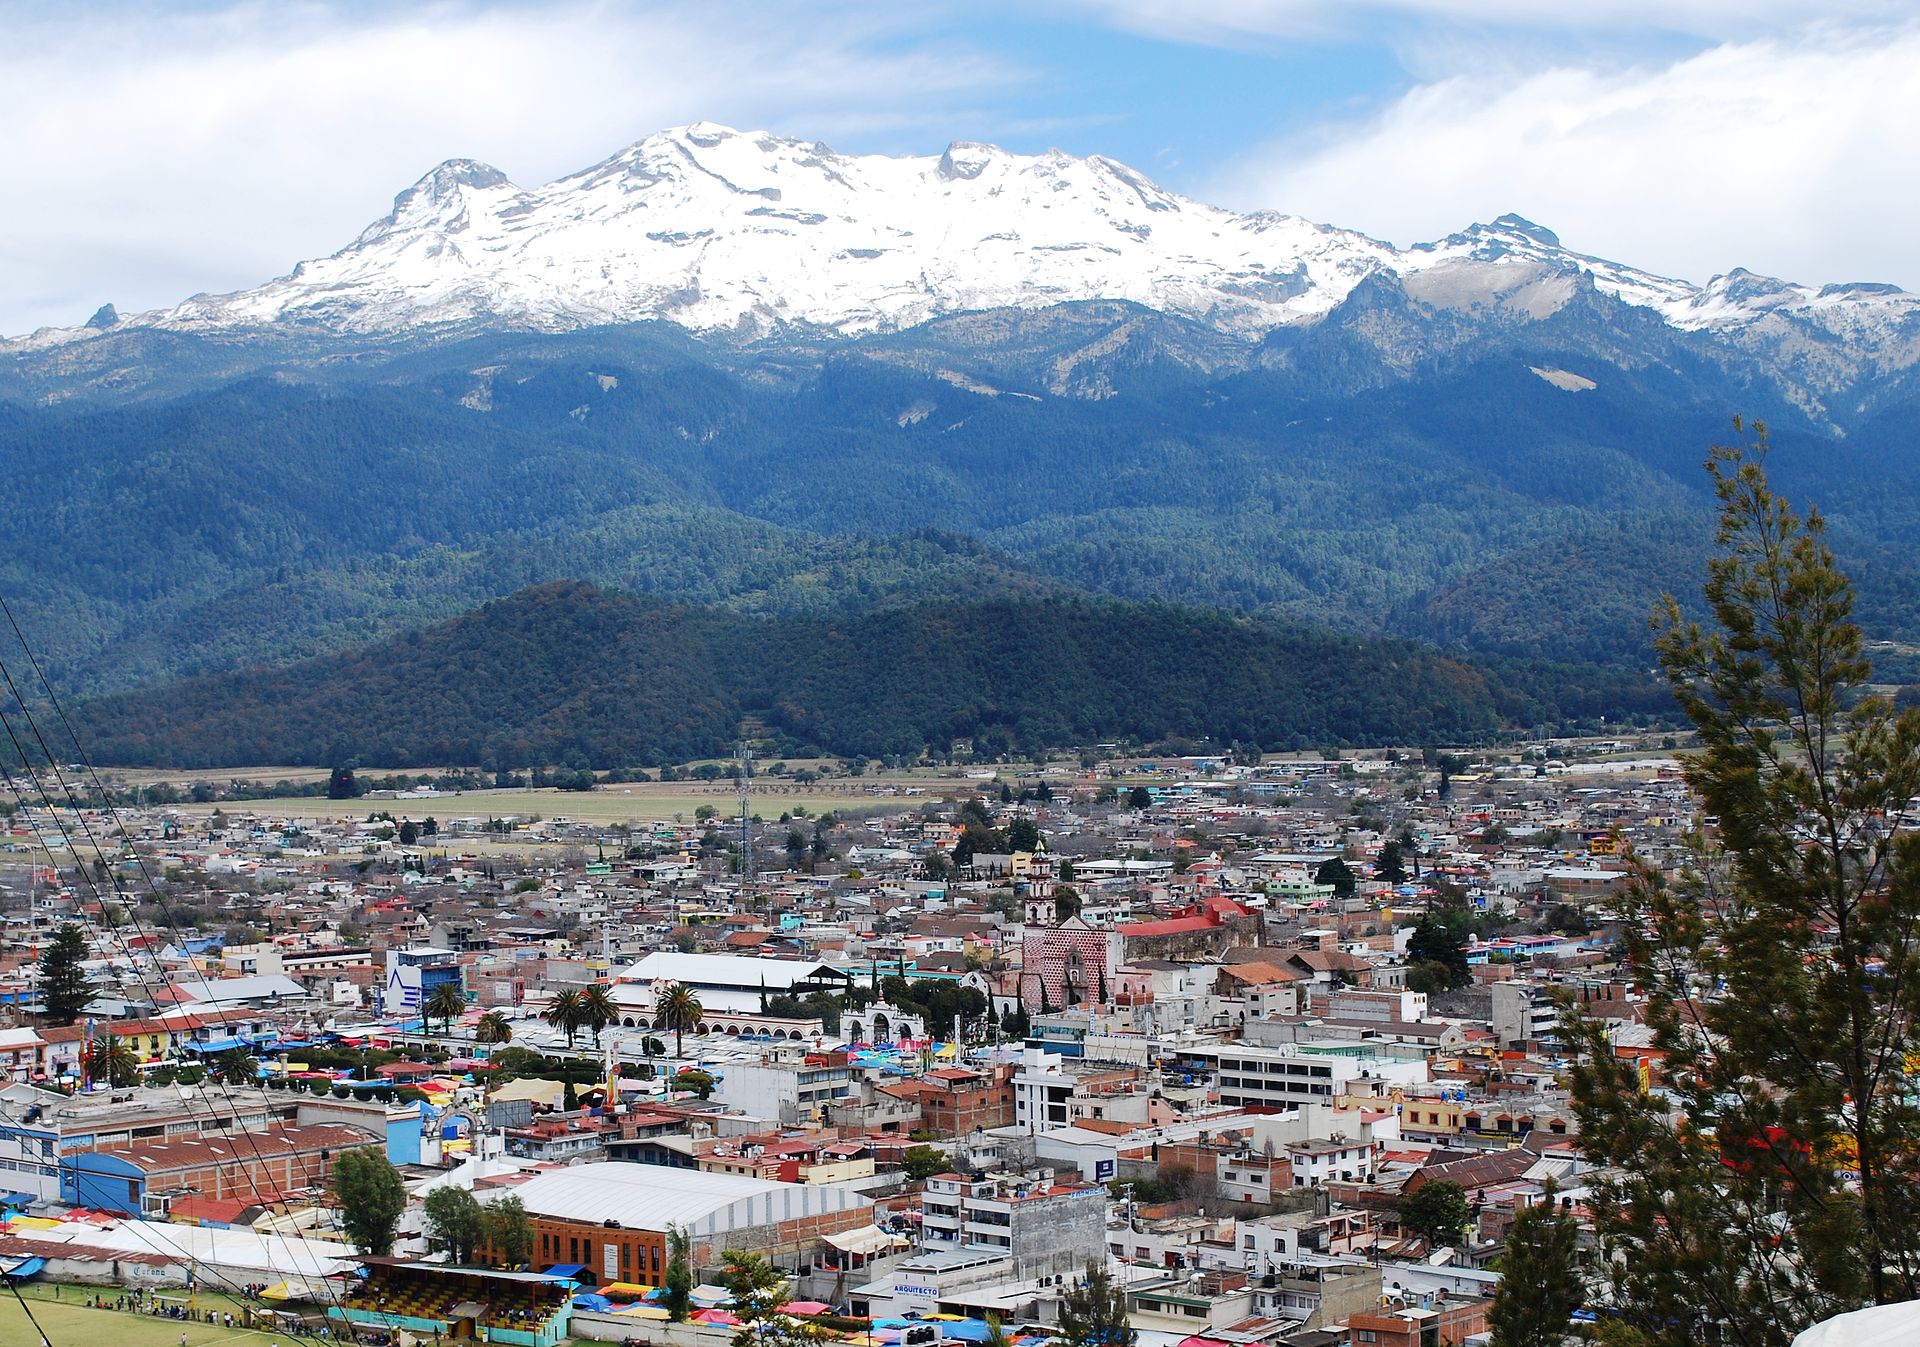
(1249, 1049)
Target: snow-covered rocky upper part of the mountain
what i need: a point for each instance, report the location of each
(725, 231)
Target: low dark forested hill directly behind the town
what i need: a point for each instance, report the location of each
(569, 674)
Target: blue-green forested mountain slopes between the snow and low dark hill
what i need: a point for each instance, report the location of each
(187, 506)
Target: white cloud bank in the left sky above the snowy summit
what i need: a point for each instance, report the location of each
(156, 154)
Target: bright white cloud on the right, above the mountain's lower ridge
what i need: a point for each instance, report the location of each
(1792, 156)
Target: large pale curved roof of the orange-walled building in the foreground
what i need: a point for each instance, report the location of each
(656, 1196)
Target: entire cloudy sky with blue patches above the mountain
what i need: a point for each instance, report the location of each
(156, 151)
